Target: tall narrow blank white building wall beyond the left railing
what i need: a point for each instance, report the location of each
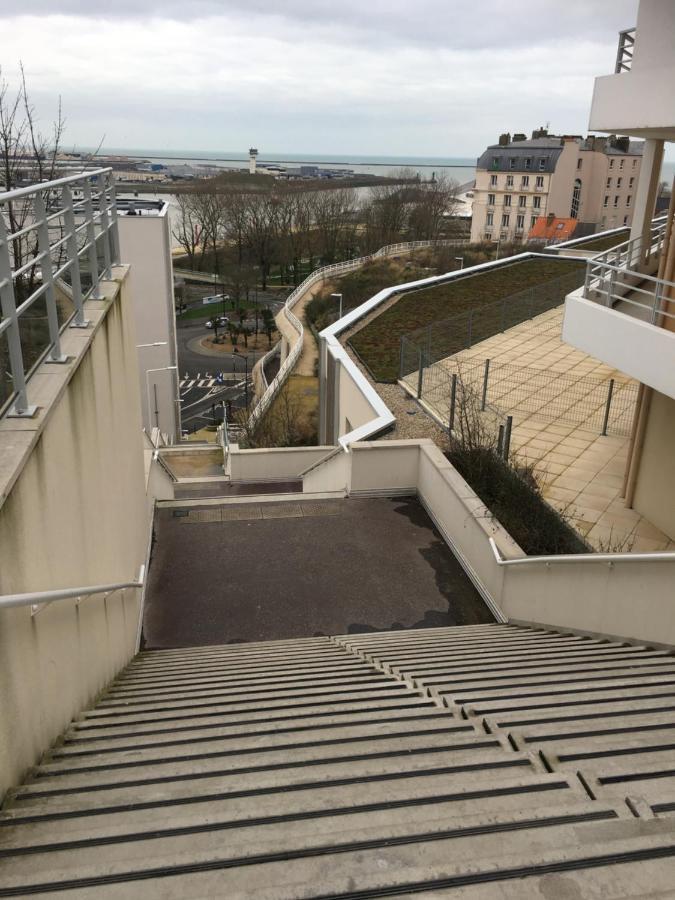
(145, 243)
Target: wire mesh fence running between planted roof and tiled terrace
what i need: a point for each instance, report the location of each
(460, 332)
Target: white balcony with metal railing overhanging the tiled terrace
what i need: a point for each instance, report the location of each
(625, 316)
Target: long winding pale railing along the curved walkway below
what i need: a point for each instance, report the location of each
(317, 275)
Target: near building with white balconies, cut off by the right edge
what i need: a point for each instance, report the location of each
(625, 314)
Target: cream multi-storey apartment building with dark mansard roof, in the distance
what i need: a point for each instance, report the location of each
(591, 180)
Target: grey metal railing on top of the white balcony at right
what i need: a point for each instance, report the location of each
(618, 277)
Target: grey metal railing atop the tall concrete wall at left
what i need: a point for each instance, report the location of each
(57, 240)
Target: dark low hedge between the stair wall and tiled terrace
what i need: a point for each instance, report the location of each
(513, 496)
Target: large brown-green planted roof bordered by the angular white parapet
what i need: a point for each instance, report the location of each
(378, 344)
